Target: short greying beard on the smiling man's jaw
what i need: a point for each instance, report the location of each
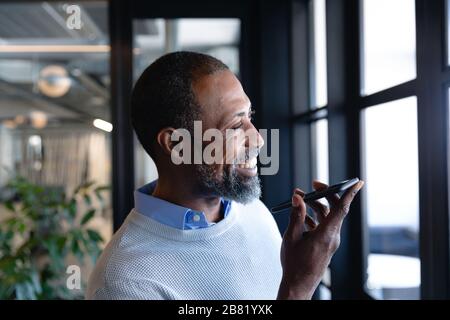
(230, 185)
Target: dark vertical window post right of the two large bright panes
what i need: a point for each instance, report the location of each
(432, 79)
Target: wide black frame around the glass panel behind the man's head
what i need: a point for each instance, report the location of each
(264, 72)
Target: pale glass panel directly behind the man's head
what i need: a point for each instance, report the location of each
(155, 37)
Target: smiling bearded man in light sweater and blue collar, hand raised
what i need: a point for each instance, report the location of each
(200, 231)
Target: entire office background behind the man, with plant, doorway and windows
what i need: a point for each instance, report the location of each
(358, 88)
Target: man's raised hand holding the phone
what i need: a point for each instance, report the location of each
(307, 247)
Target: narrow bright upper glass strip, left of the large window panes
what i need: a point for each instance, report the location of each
(318, 54)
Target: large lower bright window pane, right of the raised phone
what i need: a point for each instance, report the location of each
(390, 152)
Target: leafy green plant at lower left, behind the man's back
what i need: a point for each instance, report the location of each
(40, 232)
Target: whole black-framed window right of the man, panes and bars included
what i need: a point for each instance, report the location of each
(383, 116)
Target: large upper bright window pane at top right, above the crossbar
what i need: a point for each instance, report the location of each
(389, 44)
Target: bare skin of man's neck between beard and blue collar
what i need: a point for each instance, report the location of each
(184, 197)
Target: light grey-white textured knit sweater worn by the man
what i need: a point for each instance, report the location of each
(237, 258)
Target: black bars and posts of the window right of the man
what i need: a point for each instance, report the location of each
(345, 103)
